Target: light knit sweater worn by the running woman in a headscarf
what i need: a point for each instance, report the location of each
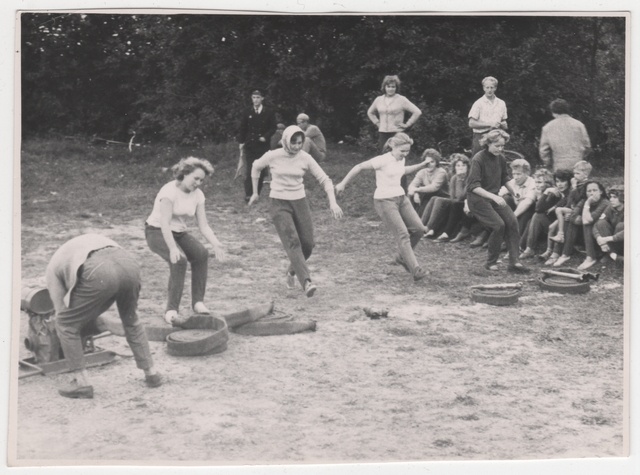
(287, 173)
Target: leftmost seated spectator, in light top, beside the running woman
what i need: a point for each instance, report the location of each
(429, 182)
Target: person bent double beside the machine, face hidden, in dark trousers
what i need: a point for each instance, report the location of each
(85, 276)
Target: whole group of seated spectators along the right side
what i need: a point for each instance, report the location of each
(555, 211)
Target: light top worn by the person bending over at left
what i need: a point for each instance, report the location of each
(62, 271)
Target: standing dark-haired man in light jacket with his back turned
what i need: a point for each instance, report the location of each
(564, 141)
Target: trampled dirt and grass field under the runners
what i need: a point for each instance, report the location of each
(442, 378)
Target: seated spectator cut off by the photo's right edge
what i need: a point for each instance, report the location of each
(609, 229)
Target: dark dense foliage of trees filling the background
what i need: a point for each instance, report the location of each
(184, 78)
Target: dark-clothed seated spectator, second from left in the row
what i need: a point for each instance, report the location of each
(445, 215)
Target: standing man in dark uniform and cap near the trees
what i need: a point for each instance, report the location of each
(257, 126)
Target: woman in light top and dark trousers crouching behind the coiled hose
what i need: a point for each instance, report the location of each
(167, 236)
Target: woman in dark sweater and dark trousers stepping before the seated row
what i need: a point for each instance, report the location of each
(488, 173)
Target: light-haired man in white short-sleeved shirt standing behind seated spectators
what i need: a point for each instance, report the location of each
(487, 113)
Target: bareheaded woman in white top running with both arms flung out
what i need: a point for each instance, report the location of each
(390, 201)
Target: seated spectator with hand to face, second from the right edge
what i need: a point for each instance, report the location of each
(581, 223)
